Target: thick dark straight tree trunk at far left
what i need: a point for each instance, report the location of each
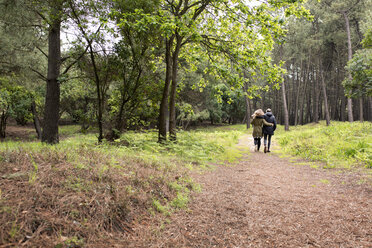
(52, 98)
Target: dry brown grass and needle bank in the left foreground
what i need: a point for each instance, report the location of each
(46, 200)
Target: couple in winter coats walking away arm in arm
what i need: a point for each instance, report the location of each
(263, 124)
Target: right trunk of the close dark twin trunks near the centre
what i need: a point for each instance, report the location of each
(173, 93)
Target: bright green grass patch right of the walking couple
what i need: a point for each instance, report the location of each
(340, 145)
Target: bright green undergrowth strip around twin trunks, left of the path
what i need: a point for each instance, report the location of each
(199, 146)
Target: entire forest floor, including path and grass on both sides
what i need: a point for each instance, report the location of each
(209, 191)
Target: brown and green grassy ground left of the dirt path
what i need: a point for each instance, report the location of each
(78, 193)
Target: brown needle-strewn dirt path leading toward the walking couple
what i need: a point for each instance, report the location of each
(267, 201)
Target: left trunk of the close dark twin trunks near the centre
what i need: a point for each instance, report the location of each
(163, 112)
